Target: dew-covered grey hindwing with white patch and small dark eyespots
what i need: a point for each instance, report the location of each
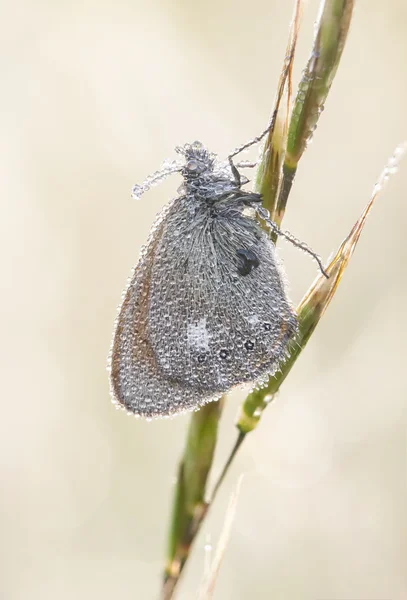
(211, 327)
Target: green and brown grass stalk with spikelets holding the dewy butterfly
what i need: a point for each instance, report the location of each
(285, 143)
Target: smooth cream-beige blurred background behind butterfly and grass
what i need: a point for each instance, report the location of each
(95, 95)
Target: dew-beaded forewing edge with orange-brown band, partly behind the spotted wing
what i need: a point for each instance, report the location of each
(137, 381)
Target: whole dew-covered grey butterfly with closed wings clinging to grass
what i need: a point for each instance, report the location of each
(206, 307)
